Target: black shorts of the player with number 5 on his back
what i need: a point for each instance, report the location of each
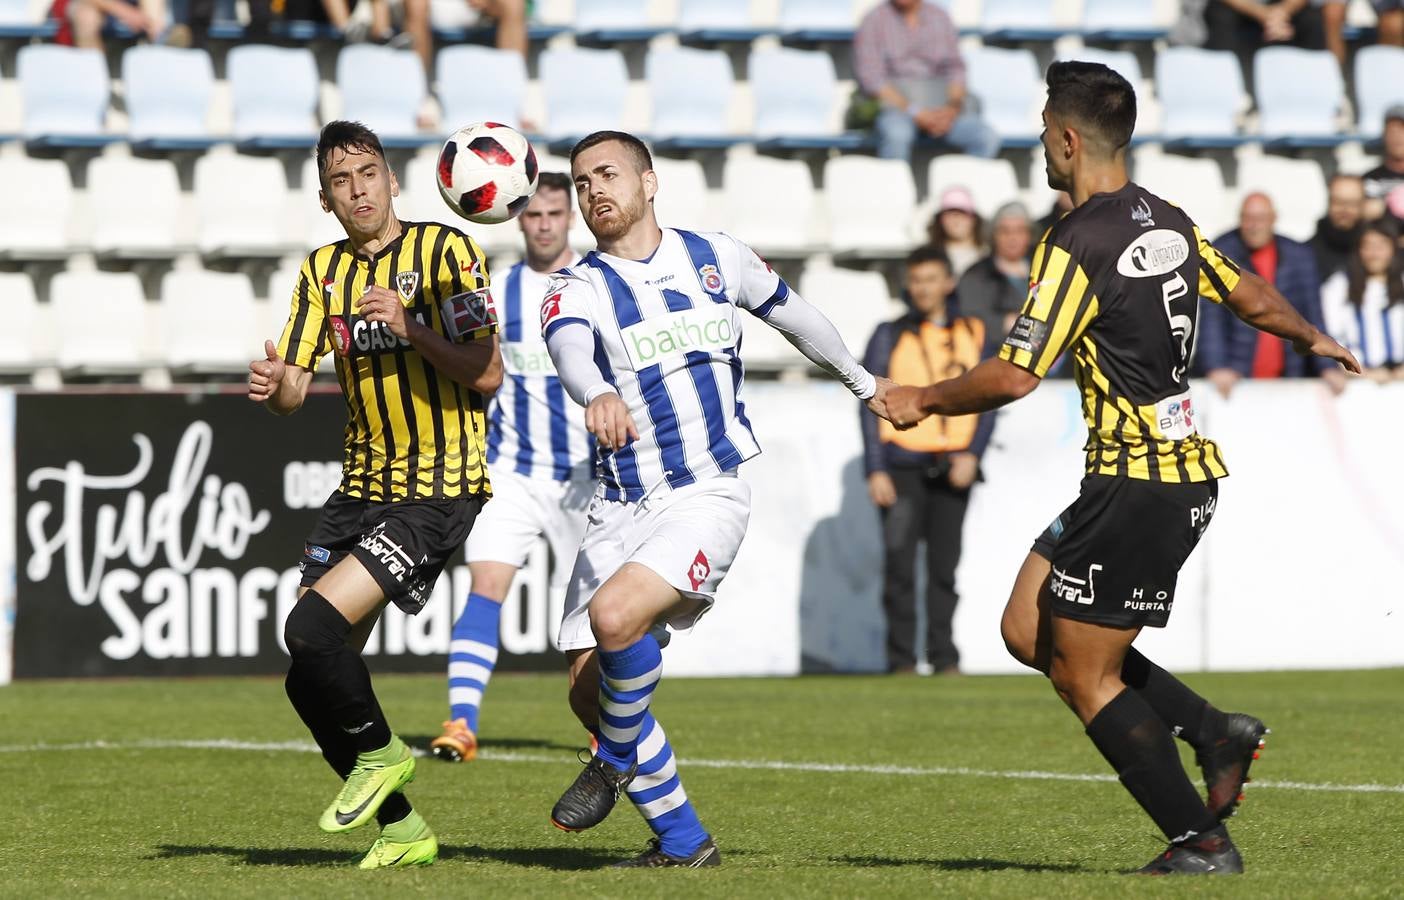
(1118, 550)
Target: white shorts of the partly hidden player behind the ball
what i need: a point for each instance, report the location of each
(524, 510)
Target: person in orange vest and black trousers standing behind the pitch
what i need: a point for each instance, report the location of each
(920, 479)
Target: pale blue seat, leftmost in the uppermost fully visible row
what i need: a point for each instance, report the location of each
(65, 93)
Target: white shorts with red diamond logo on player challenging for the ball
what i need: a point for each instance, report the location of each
(689, 537)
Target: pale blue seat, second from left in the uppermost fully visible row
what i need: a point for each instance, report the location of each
(168, 96)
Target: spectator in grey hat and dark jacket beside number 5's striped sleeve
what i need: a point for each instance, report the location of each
(995, 289)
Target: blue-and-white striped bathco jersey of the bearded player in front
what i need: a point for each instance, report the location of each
(668, 335)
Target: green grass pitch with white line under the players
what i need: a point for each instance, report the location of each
(819, 787)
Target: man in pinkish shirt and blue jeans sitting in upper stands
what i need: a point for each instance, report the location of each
(906, 57)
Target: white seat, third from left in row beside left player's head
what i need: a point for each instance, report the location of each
(241, 206)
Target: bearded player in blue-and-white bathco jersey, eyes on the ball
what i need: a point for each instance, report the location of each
(645, 333)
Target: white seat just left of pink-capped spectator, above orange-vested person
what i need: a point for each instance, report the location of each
(871, 203)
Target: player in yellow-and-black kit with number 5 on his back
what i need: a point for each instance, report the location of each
(1118, 283)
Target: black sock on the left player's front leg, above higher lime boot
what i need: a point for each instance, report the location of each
(333, 673)
